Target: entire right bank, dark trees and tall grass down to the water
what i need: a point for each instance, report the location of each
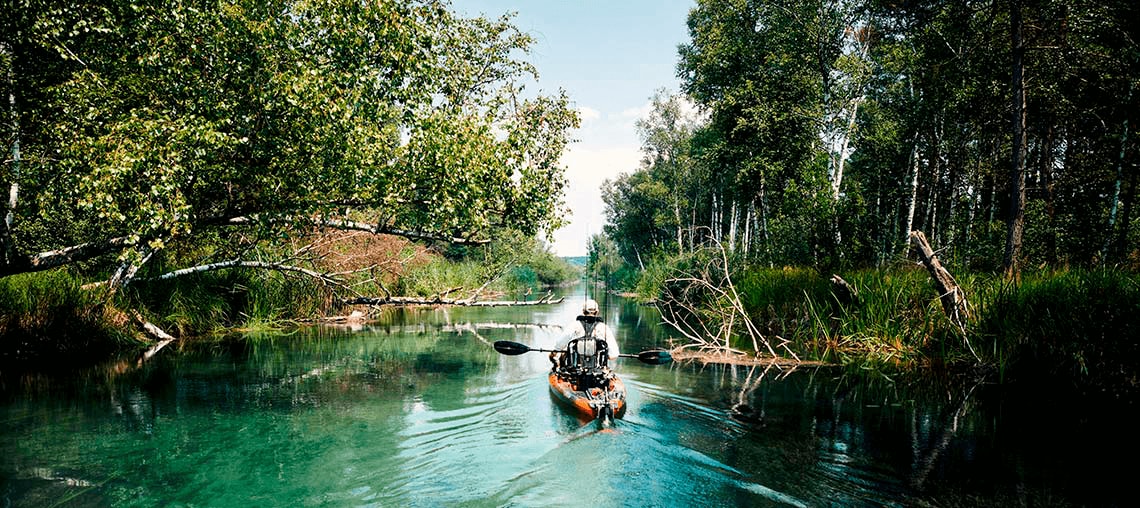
(815, 140)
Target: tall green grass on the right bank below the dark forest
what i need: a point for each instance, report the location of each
(1069, 326)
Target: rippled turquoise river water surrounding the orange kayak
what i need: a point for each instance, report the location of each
(419, 411)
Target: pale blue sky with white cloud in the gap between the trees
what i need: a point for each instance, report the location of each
(610, 58)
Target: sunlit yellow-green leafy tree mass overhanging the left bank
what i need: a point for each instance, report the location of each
(148, 128)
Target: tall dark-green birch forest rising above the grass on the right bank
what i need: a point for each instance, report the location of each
(827, 132)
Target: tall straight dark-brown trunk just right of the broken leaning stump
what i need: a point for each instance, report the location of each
(1016, 220)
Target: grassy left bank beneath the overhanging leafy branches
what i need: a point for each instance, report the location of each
(50, 317)
